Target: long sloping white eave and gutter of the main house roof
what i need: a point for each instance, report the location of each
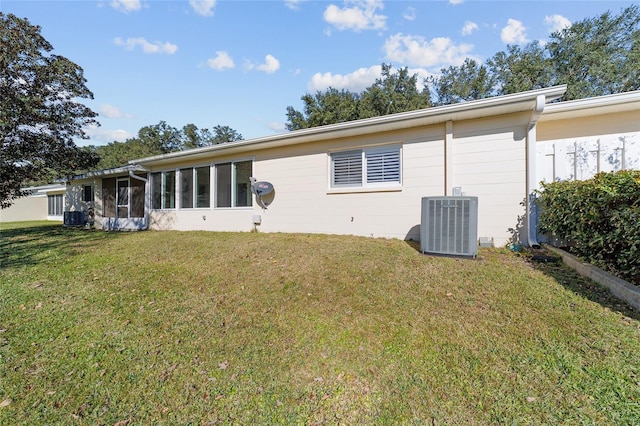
(499, 105)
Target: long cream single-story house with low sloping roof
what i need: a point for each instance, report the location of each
(367, 177)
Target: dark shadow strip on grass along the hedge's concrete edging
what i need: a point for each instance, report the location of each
(584, 287)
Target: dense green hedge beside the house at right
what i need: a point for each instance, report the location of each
(598, 218)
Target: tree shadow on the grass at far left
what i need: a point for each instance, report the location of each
(30, 245)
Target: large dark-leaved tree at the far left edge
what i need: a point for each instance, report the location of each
(39, 113)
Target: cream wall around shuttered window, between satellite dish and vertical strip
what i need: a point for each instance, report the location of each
(304, 201)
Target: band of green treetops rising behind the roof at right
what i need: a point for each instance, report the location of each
(596, 56)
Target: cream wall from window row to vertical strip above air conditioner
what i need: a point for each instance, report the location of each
(304, 202)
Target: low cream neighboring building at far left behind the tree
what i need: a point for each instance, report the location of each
(45, 202)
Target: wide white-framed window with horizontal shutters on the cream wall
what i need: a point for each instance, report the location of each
(366, 168)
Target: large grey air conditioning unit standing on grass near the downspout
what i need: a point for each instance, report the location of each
(449, 226)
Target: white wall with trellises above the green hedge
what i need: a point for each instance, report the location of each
(577, 149)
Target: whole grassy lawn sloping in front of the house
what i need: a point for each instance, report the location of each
(208, 328)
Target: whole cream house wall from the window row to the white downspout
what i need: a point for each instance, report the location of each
(488, 161)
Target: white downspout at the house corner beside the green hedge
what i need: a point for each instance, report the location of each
(531, 213)
